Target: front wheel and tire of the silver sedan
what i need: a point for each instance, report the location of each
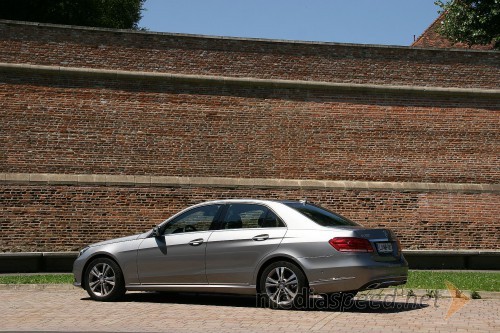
(104, 280)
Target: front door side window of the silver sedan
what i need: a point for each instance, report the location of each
(196, 219)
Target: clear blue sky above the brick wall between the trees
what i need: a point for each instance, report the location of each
(385, 22)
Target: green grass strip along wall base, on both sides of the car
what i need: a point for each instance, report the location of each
(417, 279)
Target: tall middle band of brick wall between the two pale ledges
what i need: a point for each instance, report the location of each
(98, 126)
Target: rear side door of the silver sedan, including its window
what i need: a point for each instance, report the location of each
(246, 235)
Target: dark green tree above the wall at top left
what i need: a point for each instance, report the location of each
(117, 14)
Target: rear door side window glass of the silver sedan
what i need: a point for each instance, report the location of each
(250, 216)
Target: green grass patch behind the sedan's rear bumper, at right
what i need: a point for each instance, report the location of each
(484, 281)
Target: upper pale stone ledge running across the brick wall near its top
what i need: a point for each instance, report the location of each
(227, 80)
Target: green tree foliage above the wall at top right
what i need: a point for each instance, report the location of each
(473, 22)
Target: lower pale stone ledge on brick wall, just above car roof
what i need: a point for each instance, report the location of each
(168, 181)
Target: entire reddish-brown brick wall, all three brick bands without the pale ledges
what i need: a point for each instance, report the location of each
(67, 123)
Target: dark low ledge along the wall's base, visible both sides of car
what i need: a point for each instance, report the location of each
(35, 262)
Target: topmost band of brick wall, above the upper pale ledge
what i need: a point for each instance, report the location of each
(87, 48)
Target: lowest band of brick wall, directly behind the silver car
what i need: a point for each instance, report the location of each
(65, 218)
